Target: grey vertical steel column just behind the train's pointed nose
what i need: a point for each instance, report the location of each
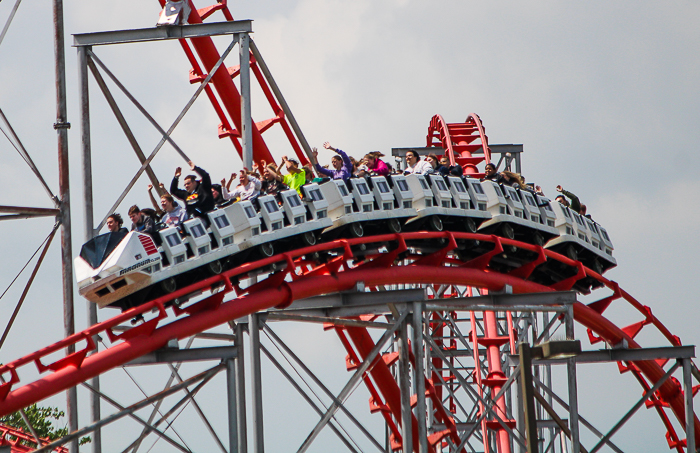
(86, 149)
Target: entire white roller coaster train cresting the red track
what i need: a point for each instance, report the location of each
(126, 269)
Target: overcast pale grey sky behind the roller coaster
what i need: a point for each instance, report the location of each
(604, 96)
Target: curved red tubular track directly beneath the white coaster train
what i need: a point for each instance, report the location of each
(303, 279)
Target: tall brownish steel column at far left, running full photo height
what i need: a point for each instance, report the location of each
(61, 125)
